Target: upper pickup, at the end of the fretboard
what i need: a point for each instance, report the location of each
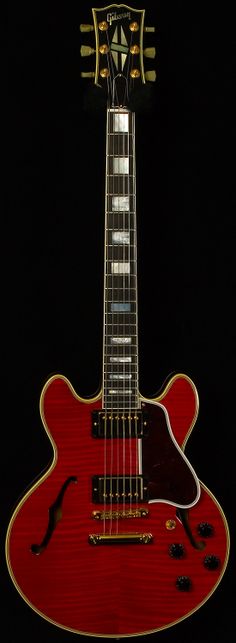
(123, 424)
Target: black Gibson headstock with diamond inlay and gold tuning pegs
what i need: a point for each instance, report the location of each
(119, 65)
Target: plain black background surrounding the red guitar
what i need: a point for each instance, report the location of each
(52, 275)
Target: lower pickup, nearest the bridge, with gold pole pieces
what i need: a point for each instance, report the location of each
(119, 489)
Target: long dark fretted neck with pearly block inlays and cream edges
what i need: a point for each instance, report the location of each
(120, 341)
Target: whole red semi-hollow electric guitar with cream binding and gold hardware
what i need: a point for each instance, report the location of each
(119, 537)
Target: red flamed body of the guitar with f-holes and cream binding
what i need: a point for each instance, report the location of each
(113, 589)
